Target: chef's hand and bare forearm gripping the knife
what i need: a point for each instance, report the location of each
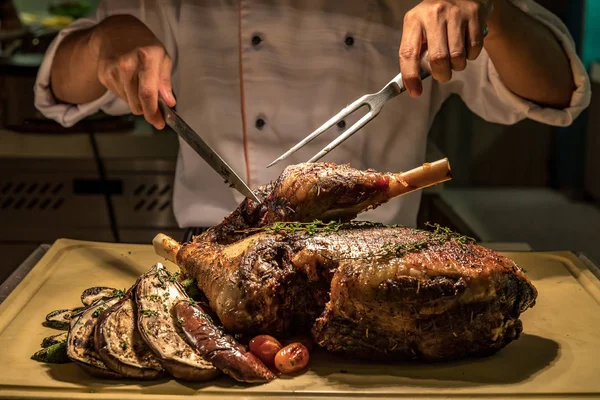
(134, 65)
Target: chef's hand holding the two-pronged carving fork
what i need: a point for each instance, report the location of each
(452, 32)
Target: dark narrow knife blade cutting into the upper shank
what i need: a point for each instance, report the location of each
(205, 151)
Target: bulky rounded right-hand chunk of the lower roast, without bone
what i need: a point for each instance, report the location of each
(439, 299)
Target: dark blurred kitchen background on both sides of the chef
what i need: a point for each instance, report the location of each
(528, 186)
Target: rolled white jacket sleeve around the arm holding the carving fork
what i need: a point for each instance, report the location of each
(486, 95)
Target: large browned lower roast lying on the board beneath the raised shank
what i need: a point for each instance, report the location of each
(429, 293)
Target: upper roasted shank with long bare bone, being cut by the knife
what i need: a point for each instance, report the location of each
(323, 191)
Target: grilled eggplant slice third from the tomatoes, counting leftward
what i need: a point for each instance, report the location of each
(119, 344)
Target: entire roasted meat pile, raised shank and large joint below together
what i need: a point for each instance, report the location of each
(361, 288)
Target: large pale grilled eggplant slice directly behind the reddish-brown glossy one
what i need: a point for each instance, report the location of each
(156, 294)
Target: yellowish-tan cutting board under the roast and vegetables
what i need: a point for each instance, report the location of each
(557, 356)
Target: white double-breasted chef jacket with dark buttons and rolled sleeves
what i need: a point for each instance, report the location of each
(292, 64)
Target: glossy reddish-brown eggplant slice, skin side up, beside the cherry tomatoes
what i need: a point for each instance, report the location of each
(222, 350)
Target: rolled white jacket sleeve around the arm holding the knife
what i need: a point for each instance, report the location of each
(68, 115)
